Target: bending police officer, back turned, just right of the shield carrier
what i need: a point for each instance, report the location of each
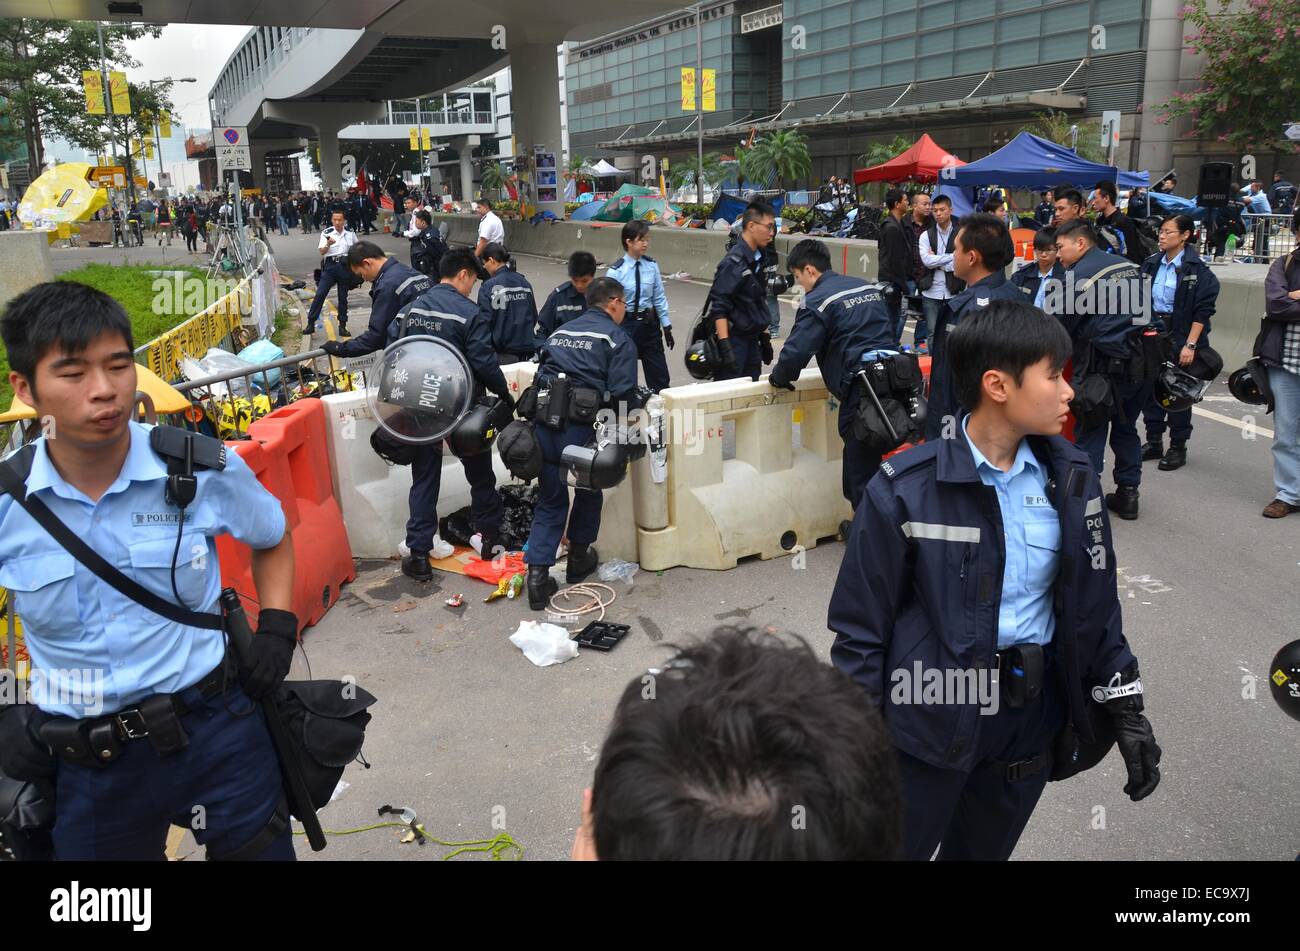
(593, 353)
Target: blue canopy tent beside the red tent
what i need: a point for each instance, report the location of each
(1029, 162)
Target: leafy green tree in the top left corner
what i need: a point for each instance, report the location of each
(41, 82)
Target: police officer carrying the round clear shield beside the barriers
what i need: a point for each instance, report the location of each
(448, 312)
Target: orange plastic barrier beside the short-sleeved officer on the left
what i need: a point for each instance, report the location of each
(287, 451)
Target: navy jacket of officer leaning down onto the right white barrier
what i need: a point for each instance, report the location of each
(842, 319)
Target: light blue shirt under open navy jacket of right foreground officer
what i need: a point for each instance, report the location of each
(1032, 535)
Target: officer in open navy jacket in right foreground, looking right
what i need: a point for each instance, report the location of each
(977, 602)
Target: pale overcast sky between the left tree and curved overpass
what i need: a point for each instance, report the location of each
(185, 51)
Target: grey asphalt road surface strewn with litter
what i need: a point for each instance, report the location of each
(478, 741)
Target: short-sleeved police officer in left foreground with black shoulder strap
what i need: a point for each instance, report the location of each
(110, 676)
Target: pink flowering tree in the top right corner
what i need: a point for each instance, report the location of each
(1251, 79)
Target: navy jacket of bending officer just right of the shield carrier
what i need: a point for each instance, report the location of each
(596, 353)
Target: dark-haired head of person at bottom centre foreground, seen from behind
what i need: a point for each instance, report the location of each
(743, 748)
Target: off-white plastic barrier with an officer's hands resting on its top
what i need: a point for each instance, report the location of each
(774, 498)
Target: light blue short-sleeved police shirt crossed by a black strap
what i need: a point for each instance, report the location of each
(77, 624)
